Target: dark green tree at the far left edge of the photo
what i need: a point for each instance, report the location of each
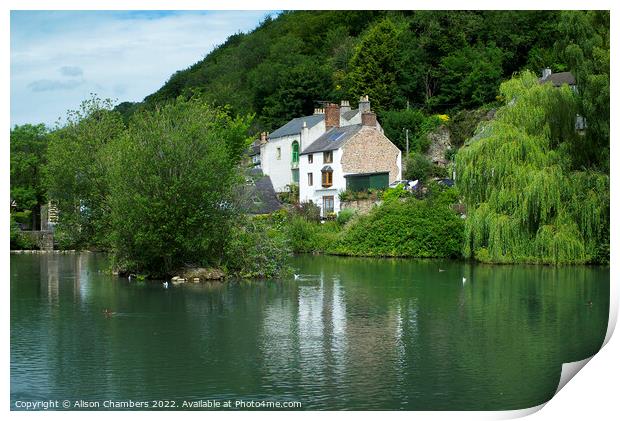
(28, 151)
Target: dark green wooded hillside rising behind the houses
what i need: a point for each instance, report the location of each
(439, 61)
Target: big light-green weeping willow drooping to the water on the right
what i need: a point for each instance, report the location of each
(524, 202)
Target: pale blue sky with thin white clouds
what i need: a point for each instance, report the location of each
(58, 58)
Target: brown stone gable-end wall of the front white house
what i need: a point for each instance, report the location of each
(369, 151)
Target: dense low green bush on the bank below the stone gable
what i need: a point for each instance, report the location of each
(410, 228)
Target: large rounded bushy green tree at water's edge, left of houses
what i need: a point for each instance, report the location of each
(171, 175)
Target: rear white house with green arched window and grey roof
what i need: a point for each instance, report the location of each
(280, 150)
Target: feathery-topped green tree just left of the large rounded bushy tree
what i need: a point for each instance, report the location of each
(76, 172)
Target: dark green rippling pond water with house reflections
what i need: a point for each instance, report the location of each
(347, 334)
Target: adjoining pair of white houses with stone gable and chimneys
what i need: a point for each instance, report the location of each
(334, 149)
